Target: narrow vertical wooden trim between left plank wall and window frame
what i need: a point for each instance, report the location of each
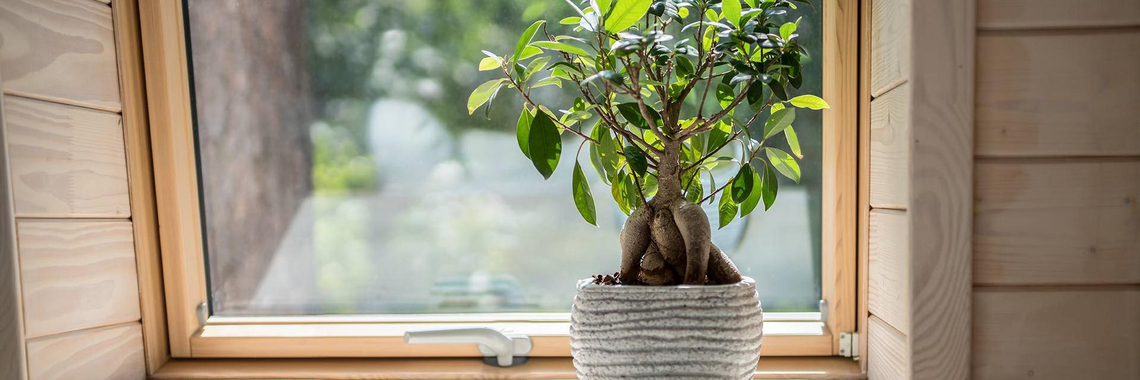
(141, 179)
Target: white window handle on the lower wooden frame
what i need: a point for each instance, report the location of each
(504, 346)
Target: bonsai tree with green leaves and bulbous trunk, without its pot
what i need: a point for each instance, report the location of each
(663, 80)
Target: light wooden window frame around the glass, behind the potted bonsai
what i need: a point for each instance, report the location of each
(196, 335)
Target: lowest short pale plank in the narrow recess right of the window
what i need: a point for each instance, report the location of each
(886, 352)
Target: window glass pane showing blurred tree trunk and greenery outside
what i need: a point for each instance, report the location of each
(341, 174)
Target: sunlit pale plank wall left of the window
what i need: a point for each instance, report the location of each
(75, 242)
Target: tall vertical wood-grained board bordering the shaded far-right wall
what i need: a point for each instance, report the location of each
(941, 200)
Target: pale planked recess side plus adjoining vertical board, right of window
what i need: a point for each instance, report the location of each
(921, 181)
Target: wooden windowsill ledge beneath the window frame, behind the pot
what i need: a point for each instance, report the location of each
(542, 368)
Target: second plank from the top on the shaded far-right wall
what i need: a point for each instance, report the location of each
(1033, 103)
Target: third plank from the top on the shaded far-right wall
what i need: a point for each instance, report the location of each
(1057, 222)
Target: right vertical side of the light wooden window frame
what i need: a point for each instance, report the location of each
(840, 161)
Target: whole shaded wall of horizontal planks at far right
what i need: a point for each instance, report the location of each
(1057, 196)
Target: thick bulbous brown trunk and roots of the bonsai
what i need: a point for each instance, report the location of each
(669, 241)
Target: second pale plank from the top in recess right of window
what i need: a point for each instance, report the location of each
(891, 134)
